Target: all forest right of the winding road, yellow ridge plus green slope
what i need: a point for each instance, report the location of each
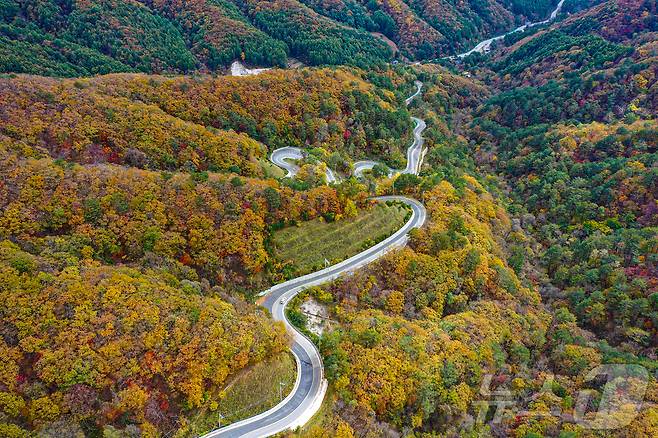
(560, 128)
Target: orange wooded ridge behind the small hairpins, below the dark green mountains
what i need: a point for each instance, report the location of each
(201, 124)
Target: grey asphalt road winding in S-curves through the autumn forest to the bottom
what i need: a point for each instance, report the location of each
(310, 386)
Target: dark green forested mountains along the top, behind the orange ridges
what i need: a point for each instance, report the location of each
(82, 38)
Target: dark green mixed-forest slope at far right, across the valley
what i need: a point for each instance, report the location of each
(578, 148)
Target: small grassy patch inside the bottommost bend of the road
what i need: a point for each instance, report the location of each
(253, 391)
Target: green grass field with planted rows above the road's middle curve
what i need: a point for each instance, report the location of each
(307, 245)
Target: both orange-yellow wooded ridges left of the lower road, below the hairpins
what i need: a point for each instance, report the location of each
(123, 296)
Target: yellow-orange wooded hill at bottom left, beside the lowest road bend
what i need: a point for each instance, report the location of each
(85, 345)
